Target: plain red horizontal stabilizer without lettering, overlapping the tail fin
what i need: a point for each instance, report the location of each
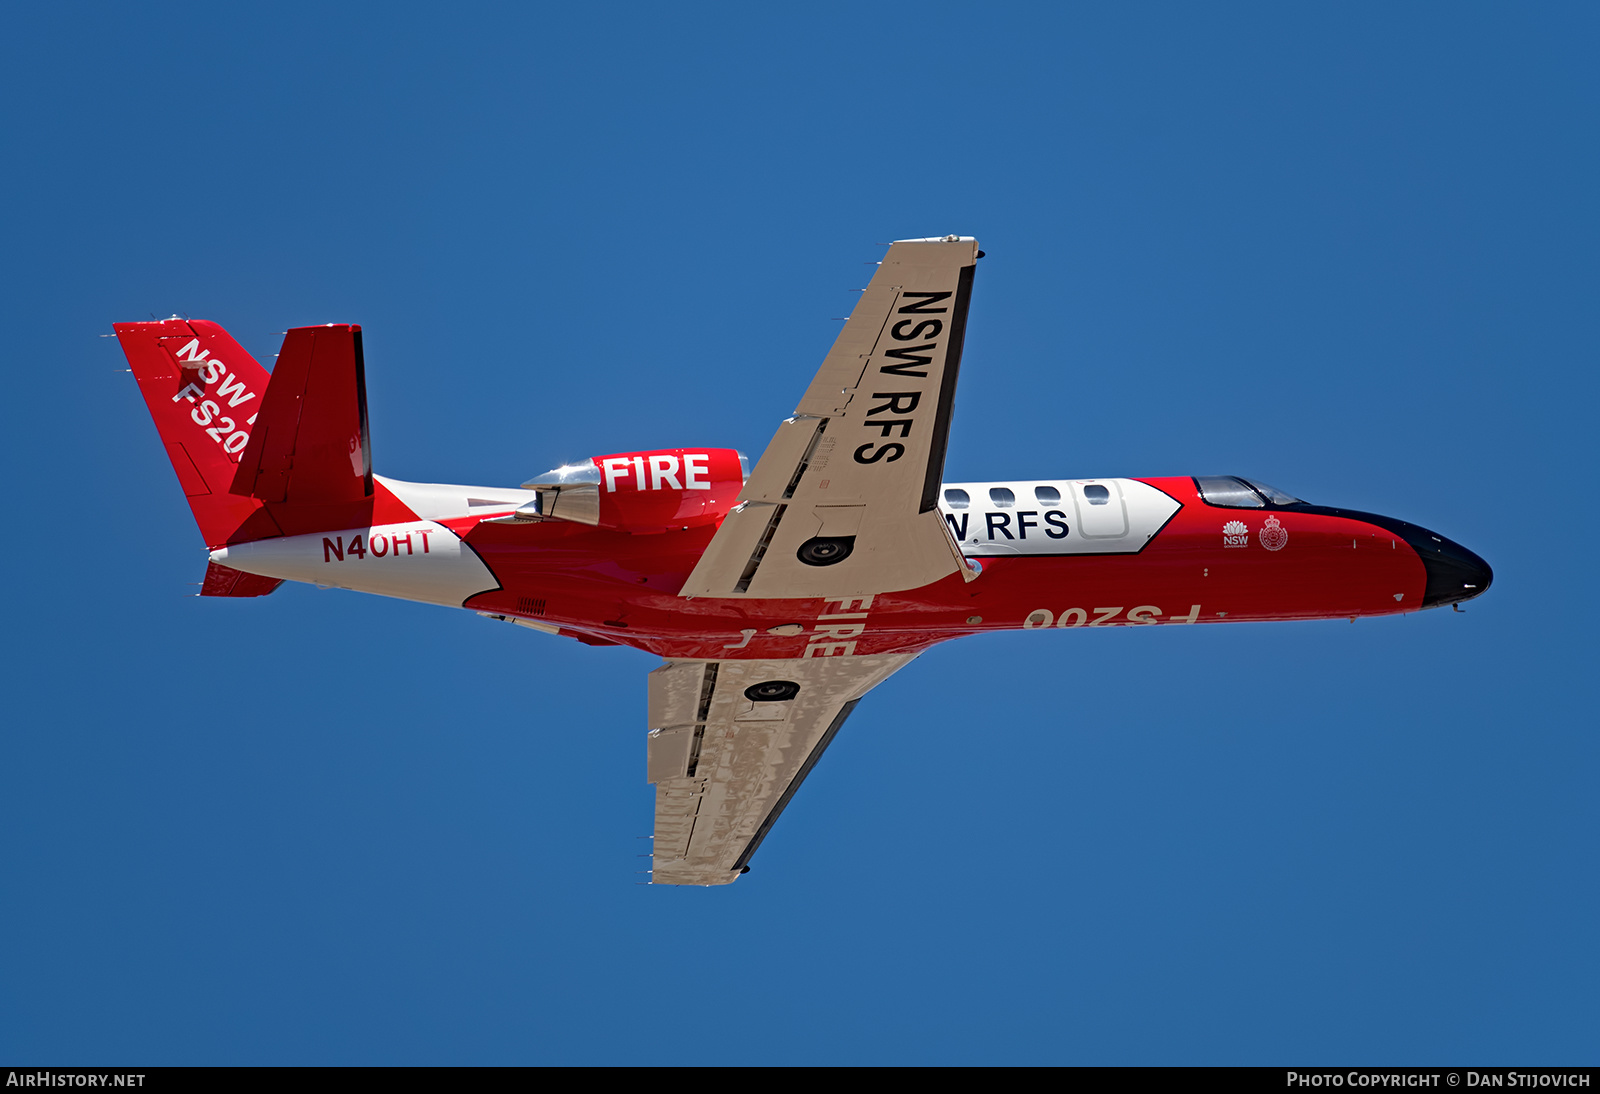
(310, 445)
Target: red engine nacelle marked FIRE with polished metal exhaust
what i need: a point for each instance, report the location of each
(641, 493)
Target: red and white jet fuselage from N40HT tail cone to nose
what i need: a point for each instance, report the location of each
(1150, 553)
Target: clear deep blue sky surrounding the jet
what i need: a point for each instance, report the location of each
(1348, 250)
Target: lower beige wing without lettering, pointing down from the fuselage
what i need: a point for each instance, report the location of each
(732, 741)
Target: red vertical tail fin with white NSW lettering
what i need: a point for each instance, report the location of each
(204, 393)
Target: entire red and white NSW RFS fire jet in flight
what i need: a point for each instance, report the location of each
(782, 596)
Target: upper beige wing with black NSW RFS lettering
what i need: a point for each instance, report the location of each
(846, 500)
